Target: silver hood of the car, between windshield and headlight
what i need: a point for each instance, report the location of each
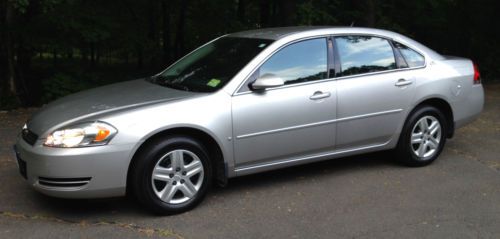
(101, 100)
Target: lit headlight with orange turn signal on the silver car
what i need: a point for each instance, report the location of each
(81, 135)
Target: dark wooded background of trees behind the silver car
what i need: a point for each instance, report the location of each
(50, 48)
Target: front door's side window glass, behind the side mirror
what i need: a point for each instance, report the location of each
(299, 62)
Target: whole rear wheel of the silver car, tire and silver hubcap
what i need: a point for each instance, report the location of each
(423, 137)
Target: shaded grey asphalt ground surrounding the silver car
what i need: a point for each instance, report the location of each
(358, 197)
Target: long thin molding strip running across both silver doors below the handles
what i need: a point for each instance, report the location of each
(317, 123)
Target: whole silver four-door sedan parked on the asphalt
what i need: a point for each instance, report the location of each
(245, 103)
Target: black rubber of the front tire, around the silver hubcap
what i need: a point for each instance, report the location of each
(146, 160)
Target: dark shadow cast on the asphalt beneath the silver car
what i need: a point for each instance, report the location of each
(75, 210)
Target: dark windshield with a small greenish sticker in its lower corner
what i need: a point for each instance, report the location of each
(210, 67)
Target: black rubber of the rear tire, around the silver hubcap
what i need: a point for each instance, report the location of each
(405, 150)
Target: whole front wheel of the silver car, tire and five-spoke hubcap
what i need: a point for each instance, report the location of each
(182, 175)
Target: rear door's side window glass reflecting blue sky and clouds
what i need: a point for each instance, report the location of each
(363, 54)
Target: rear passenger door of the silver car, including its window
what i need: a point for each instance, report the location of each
(373, 92)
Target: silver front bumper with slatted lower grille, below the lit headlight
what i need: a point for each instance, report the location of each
(89, 172)
